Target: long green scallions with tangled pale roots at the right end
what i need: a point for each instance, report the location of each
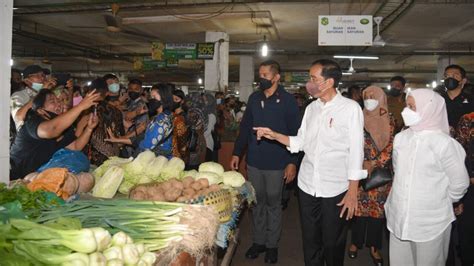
(159, 226)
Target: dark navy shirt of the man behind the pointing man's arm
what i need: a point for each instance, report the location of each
(278, 112)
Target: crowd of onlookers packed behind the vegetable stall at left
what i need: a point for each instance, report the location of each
(106, 119)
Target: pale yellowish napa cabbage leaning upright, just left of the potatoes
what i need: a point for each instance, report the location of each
(109, 183)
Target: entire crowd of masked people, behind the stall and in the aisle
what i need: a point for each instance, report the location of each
(372, 160)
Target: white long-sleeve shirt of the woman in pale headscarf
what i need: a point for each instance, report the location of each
(429, 176)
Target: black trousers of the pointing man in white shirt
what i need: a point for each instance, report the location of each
(324, 233)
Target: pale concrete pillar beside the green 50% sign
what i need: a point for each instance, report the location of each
(216, 71)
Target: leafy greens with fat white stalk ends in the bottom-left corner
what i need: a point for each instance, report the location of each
(23, 242)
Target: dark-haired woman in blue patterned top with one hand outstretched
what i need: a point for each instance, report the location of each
(158, 134)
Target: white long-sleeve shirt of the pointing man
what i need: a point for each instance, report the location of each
(332, 137)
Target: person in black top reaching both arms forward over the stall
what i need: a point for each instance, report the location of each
(47, 130)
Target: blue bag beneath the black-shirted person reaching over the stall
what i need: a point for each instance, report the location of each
(75, 161)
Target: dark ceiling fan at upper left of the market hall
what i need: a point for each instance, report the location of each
(113, 25)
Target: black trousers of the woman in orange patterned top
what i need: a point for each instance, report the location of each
(368, 231)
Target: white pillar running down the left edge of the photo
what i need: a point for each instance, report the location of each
(6, 28)
